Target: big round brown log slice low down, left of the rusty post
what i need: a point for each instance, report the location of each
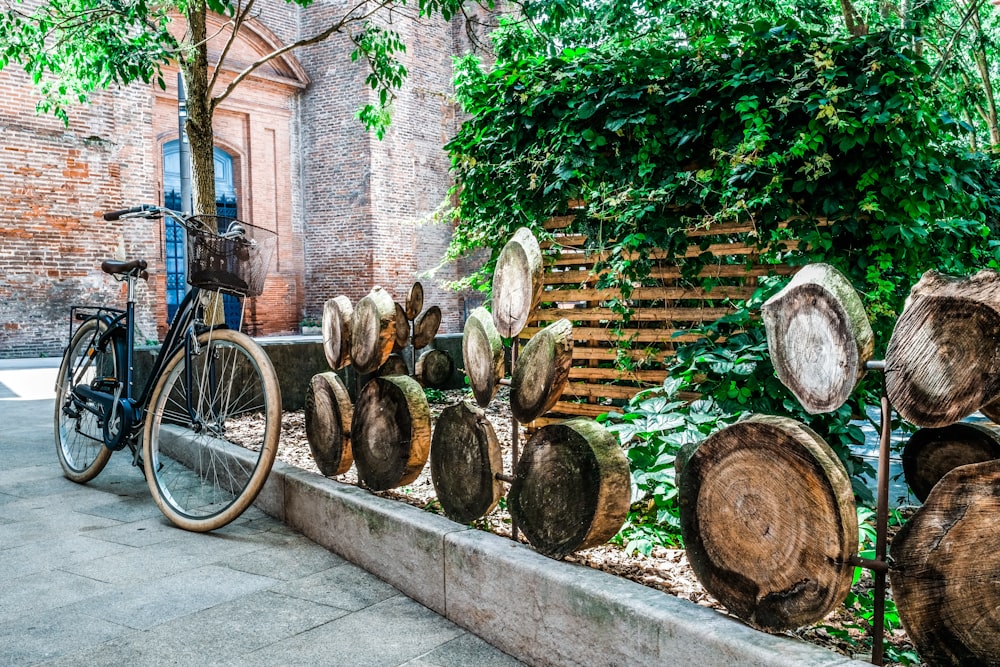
(772, 548)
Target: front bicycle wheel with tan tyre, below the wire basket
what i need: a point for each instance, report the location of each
(211, 431)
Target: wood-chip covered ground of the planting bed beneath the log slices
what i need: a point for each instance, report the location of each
(665, 569)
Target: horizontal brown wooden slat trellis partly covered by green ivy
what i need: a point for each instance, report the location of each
(665, 309)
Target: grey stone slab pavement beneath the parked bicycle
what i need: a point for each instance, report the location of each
(94, 575)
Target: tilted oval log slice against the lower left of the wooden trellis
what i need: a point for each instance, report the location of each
(541, 371)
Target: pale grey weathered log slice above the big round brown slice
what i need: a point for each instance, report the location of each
(819, 337)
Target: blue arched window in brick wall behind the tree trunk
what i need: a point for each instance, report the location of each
(225, 203)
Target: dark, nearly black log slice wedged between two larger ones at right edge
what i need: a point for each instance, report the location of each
(931, 453)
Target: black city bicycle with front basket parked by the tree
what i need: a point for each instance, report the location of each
(209, 414)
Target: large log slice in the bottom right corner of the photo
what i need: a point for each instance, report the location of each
(944, 567)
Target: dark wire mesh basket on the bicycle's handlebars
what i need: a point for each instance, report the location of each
(236, 265)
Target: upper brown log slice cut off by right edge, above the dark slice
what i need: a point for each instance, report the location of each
(943, 361)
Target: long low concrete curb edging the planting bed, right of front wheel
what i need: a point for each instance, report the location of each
(541, 611)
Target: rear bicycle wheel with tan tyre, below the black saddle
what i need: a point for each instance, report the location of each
(79, 433)
